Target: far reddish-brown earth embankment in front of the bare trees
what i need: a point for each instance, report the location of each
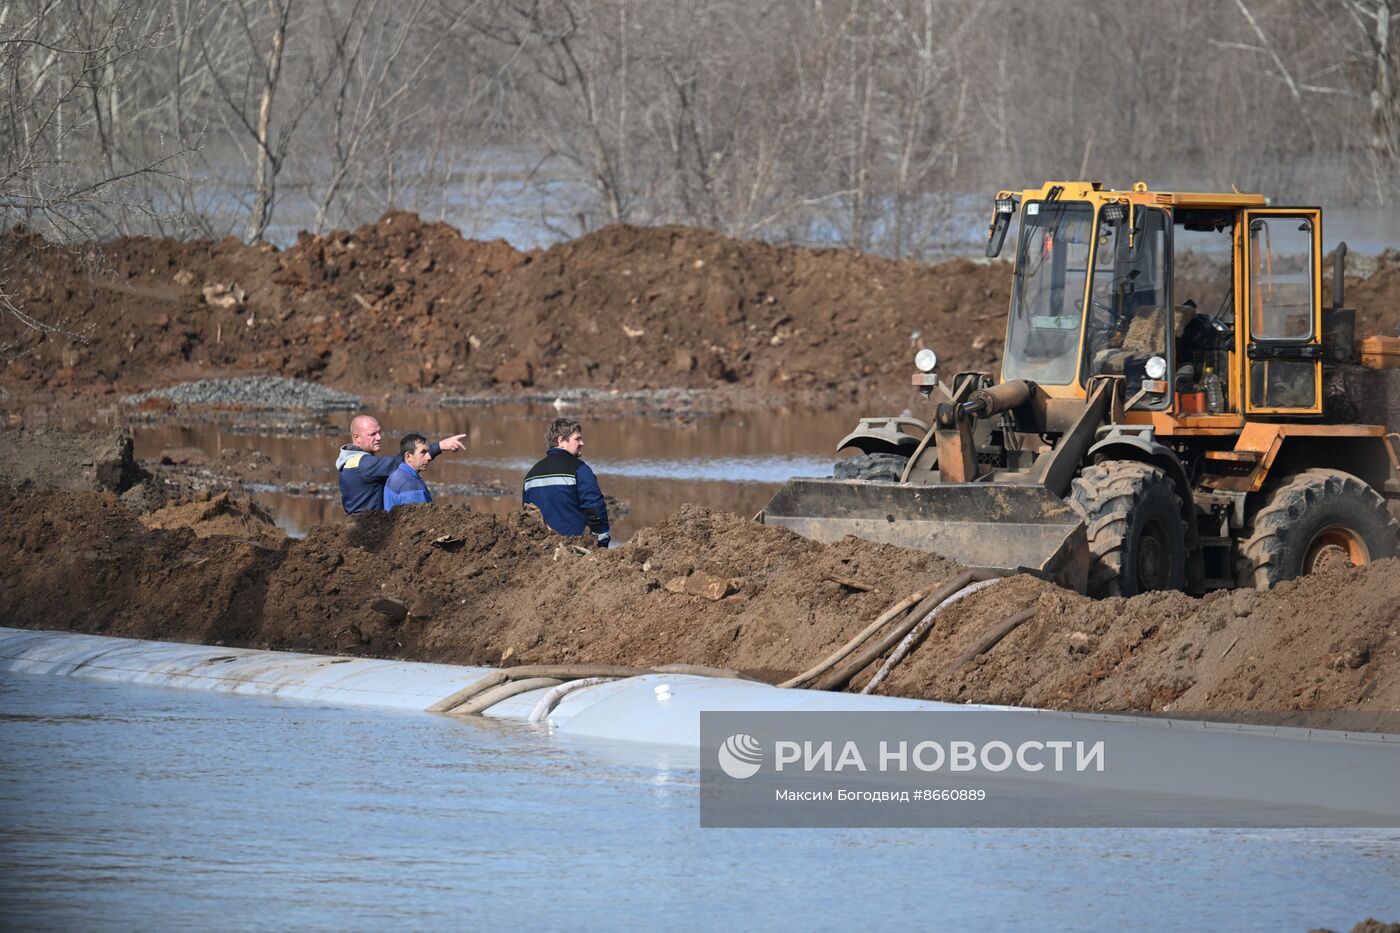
(409, 306)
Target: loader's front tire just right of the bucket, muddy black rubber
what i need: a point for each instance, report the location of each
(1137, 536)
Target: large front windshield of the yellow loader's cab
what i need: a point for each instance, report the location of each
(1048, 295)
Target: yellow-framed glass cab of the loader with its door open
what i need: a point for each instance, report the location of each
(1203, 305)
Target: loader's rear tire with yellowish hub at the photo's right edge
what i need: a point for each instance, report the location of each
(1315, 520)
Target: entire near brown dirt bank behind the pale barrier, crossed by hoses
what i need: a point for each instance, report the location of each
(443, 583)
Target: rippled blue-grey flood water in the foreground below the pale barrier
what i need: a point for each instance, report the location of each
(138, 808)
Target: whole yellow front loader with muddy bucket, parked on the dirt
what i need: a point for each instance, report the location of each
(1160, 421)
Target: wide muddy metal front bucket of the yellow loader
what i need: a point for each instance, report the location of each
(1002, 527)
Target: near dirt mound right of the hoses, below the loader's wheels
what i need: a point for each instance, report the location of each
(1326, 642)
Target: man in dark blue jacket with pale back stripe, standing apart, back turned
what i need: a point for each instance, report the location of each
(565, 488)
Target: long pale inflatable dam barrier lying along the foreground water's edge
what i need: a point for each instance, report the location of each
(1283, 766)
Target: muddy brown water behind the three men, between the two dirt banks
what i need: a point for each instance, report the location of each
(652, 464)
